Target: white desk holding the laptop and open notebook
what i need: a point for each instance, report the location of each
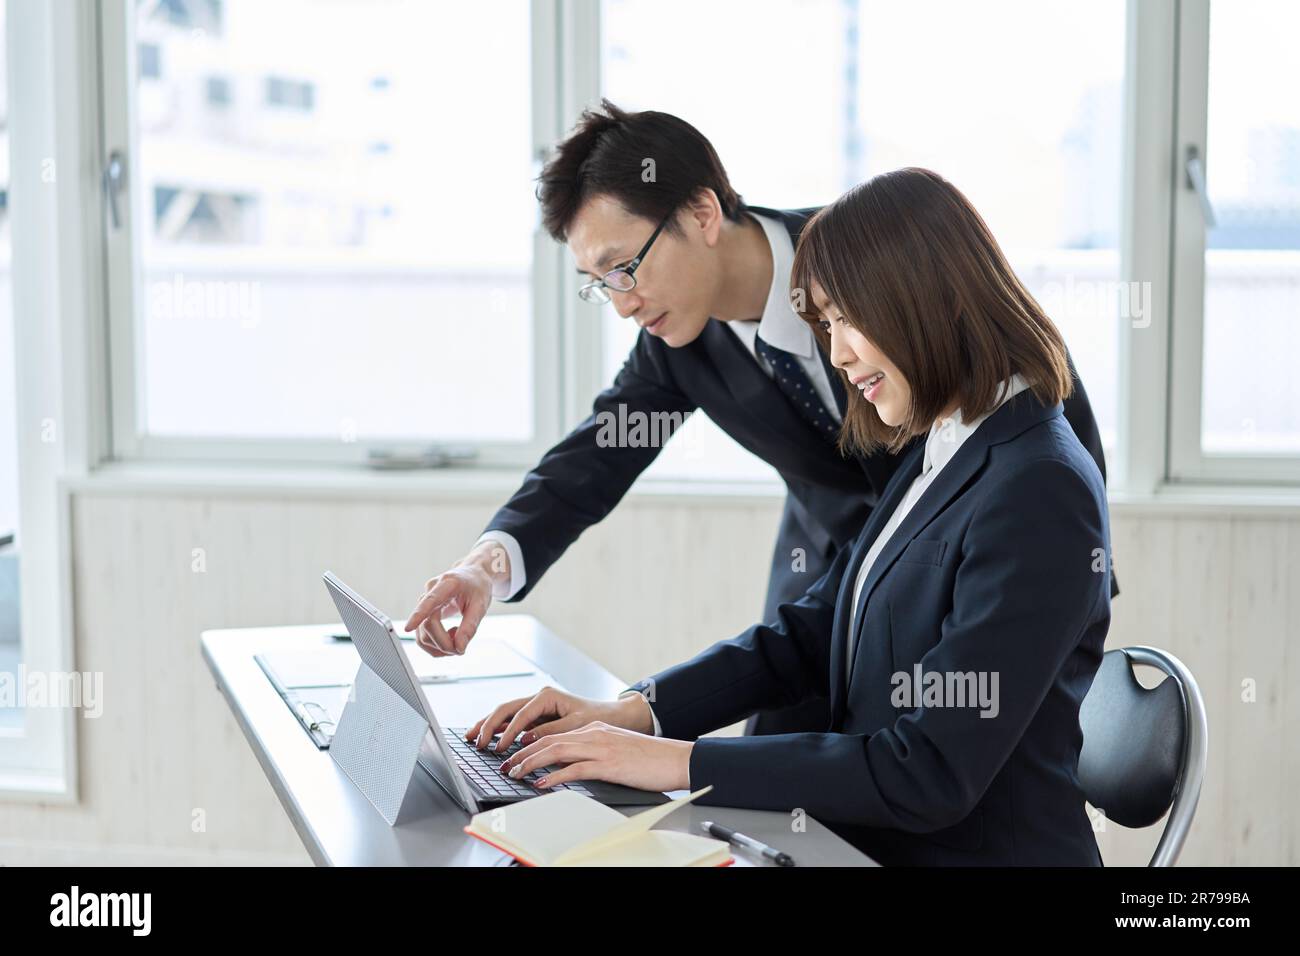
(337, 824)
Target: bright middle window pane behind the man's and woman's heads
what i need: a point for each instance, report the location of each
(1028, 126)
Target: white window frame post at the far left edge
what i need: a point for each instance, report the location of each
(59, 351)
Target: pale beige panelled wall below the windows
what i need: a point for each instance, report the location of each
(1216, 589)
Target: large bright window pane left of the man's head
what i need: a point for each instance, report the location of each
(336, 243)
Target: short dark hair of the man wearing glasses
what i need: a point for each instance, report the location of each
(606, 155)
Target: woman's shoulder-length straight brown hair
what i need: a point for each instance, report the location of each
(913, 267)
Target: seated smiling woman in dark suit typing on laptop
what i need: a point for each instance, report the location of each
(959, 637)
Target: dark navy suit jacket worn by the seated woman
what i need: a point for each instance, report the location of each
(999, 569)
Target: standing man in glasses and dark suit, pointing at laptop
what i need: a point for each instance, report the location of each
(707, 278)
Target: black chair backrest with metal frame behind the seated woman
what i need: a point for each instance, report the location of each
(1145, 750)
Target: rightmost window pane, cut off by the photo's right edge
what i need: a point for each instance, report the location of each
(1251, 393)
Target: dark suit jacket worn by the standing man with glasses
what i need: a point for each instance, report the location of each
(829, 498)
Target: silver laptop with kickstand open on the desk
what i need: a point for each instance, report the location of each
(470, 776)
